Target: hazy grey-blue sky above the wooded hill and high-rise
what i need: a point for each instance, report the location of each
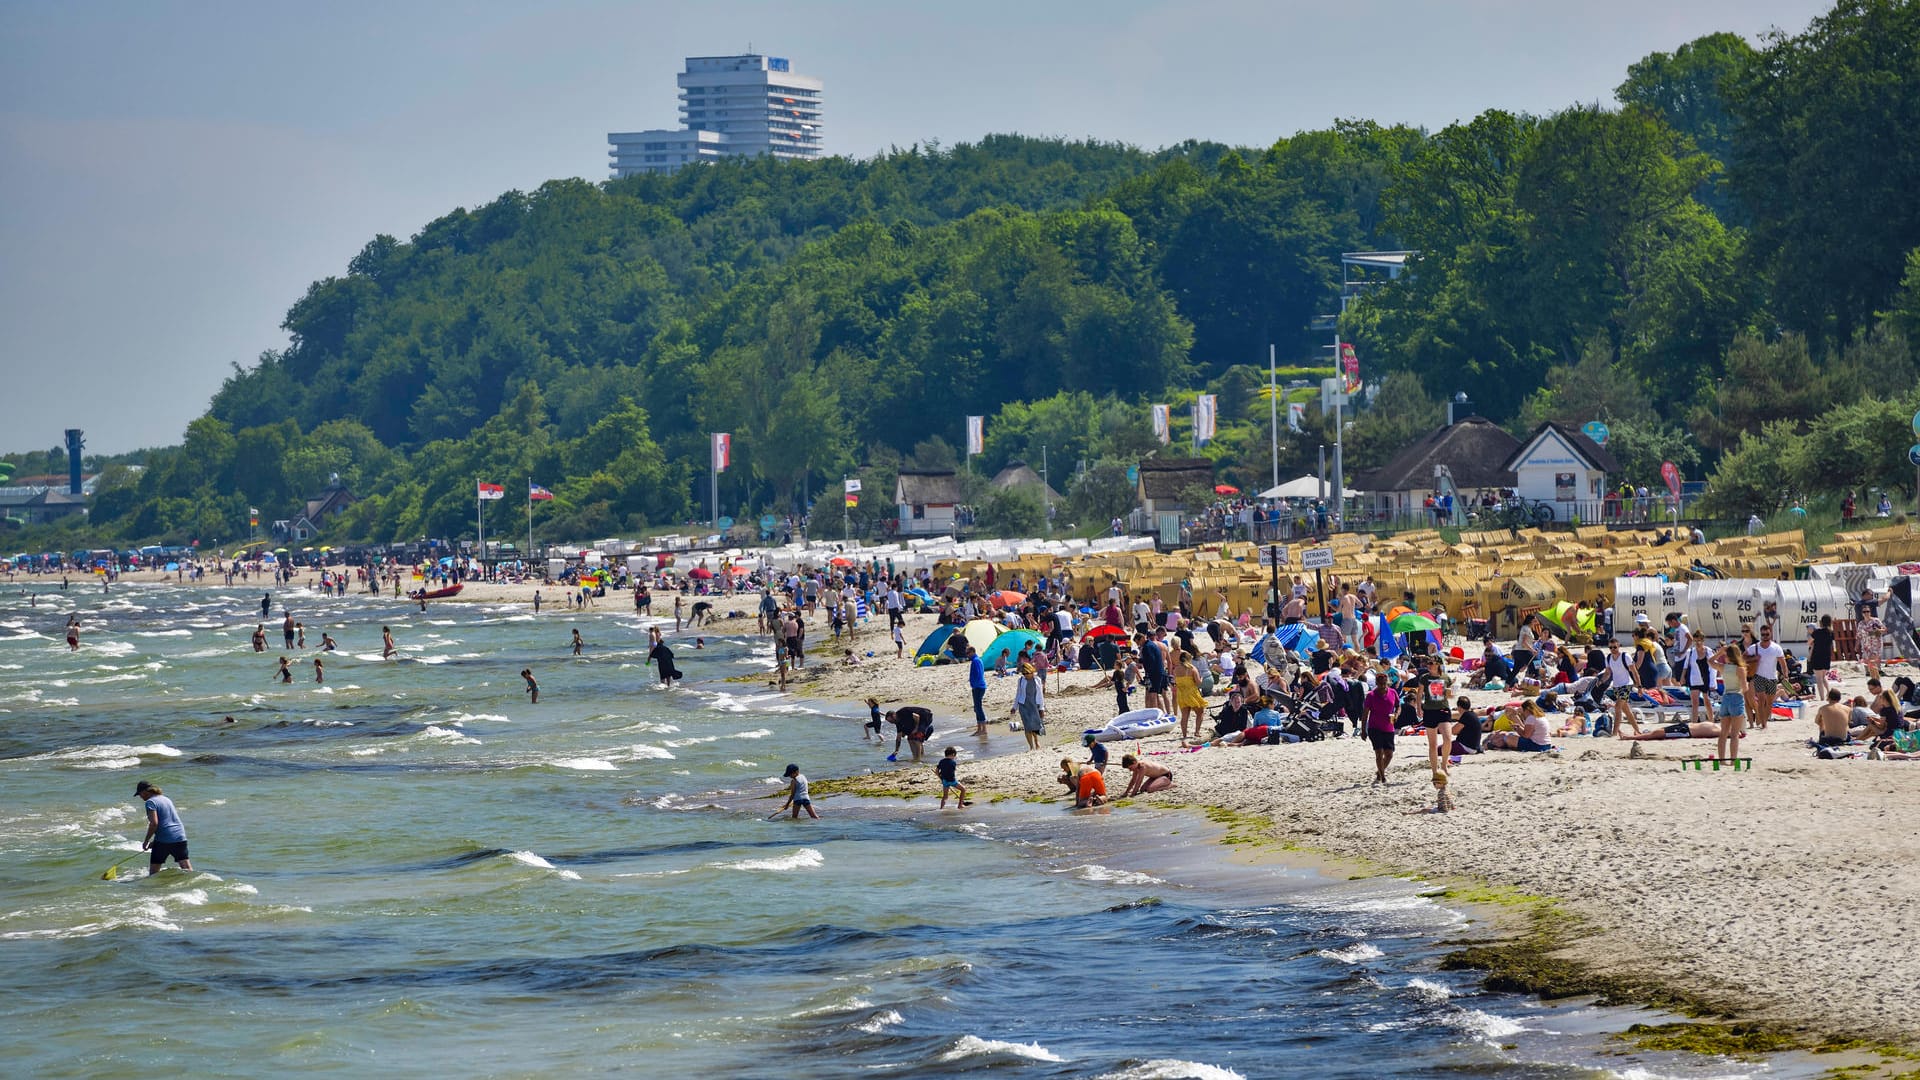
(174, 176)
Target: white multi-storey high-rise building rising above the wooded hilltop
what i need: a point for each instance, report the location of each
(731, 107)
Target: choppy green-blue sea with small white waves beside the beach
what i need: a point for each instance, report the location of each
(414, 871)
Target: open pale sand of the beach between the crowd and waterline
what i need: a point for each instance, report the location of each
(1775, 895)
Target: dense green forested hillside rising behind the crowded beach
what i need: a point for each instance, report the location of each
(1714, 266)
